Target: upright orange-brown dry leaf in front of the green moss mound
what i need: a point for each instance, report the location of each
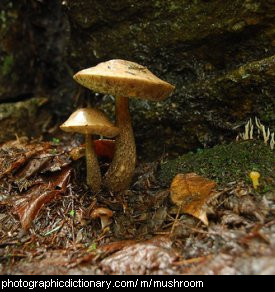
(191, 192)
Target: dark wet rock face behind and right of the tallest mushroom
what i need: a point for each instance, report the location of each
(219, 55)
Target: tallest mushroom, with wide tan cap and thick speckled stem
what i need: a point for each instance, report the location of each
(123, 79)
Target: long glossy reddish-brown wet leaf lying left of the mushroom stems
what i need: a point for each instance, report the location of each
(29, 205)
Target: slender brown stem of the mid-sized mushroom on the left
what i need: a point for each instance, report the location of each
(93, 170)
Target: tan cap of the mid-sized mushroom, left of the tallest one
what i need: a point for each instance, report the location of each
(90, 121)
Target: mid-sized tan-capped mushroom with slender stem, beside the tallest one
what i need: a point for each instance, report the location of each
(90, 121)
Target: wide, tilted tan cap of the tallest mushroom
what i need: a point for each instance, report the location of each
(124, 78)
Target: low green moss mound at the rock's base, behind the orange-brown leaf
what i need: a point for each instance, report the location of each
(224, 163)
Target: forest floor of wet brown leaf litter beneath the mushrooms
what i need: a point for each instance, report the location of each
(46, 225)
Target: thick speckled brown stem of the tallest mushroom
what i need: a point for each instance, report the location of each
(121, 170)
